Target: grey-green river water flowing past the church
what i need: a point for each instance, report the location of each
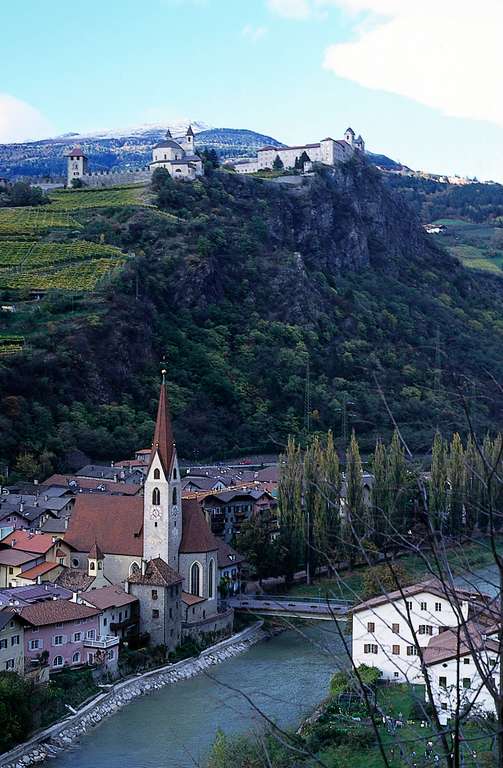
(286, 677)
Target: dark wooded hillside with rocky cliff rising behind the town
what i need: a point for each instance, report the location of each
(240, 282)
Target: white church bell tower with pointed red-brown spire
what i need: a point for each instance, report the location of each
(162, 503)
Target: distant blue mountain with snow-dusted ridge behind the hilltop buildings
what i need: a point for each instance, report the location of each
(120, 149)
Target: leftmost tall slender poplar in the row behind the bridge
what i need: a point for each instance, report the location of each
(291, 520)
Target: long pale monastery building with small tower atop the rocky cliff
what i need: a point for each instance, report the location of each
(327, 151)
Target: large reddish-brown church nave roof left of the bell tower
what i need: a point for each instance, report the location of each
(116, 522)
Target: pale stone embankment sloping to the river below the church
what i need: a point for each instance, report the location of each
(63, 734)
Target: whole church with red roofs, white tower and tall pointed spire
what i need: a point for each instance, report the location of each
(158, 547)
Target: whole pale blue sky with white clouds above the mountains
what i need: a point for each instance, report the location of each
(420, 80)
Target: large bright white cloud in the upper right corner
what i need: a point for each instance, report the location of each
(446, 55)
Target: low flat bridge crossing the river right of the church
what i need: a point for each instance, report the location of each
(315, 608)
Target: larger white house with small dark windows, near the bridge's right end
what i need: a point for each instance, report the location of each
(391, 631)
